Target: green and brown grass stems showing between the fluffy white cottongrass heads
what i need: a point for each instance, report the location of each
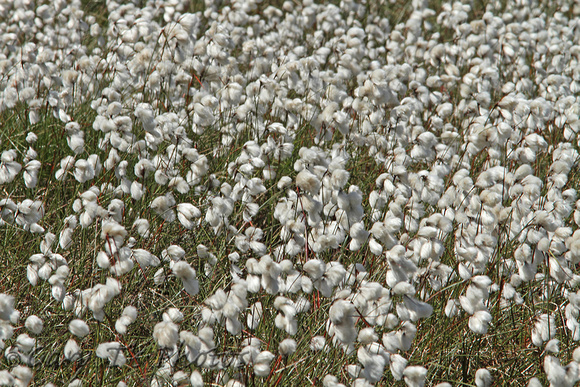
(446, 346)
